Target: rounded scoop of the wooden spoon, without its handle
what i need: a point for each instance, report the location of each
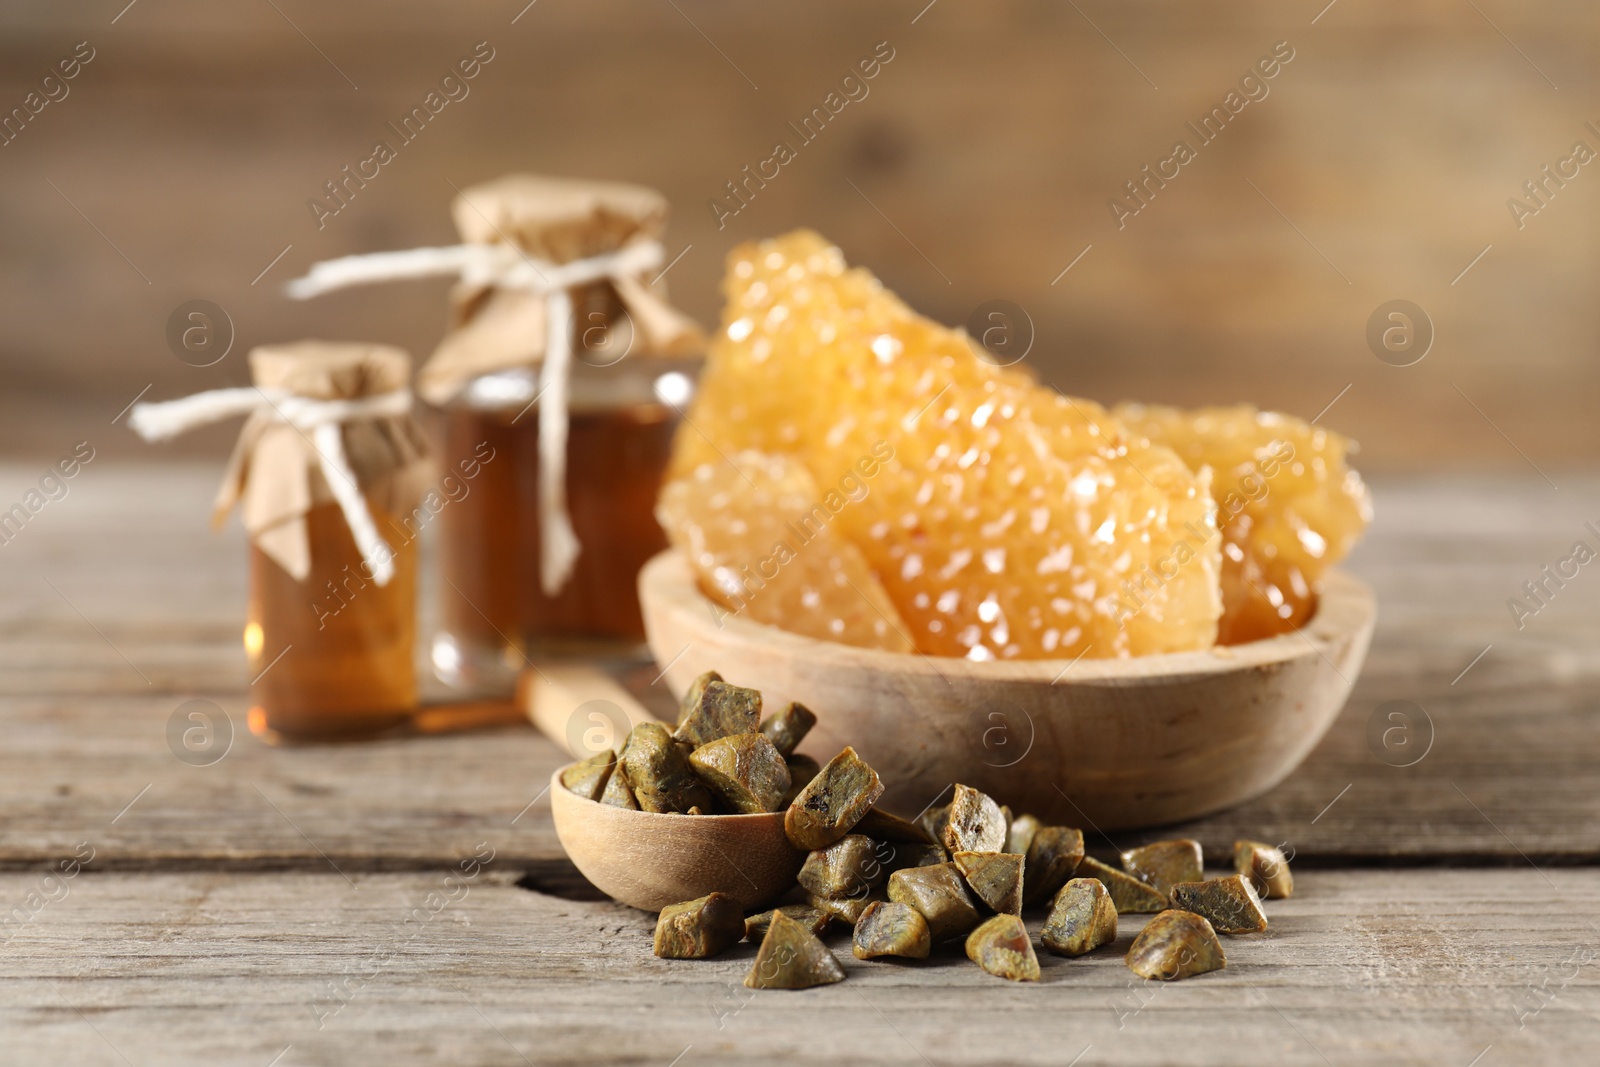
(650, 861)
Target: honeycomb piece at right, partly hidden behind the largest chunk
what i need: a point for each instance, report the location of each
(1287, 505)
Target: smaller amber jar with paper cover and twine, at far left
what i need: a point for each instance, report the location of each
(329, 473)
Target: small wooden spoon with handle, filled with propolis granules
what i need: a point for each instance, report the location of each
(642, 858)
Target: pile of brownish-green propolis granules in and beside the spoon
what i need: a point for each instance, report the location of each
(962, 871)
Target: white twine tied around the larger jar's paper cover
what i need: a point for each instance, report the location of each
(510, 268)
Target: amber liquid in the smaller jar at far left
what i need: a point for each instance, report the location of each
(332, 657)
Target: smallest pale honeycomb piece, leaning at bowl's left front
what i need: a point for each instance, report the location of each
(762, 543)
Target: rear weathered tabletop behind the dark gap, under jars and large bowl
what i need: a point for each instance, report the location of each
(1511, 773)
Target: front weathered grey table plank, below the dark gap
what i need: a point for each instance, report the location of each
(206, 969)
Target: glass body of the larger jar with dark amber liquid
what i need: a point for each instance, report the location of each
(494, 610)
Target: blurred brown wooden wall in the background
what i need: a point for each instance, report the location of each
(978, 169)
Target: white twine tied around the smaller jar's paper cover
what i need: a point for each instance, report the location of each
(322, 420)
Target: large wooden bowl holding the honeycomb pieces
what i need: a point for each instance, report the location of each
(1102, 745)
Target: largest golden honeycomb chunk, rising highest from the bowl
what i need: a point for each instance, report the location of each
(1001, 516)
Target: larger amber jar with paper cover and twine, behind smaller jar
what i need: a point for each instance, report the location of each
(561, 383)
